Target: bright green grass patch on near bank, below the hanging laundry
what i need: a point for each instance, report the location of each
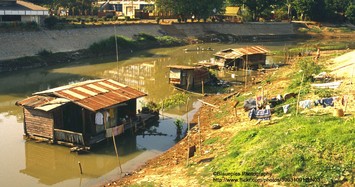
(318, 147)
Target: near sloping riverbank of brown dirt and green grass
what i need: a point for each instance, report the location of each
(312, 148)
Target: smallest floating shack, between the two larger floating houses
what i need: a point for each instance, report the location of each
(188, 76)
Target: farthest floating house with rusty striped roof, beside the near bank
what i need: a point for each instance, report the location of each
(246, 57)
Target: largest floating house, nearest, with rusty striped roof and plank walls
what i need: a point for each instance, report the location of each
(82, 114)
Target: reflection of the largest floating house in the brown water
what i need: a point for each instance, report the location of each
(55, 165)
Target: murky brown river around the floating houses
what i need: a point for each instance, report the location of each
(28, 163)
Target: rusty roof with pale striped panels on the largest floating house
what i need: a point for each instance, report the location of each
(92, 95)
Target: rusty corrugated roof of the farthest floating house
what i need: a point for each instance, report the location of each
(239, 52)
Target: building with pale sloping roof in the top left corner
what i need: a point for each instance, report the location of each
(21, 11)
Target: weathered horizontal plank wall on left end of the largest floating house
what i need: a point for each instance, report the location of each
(39, 123)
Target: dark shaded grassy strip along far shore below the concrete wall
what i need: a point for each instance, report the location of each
(105, 47)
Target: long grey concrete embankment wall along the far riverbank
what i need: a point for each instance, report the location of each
(19, 44)
